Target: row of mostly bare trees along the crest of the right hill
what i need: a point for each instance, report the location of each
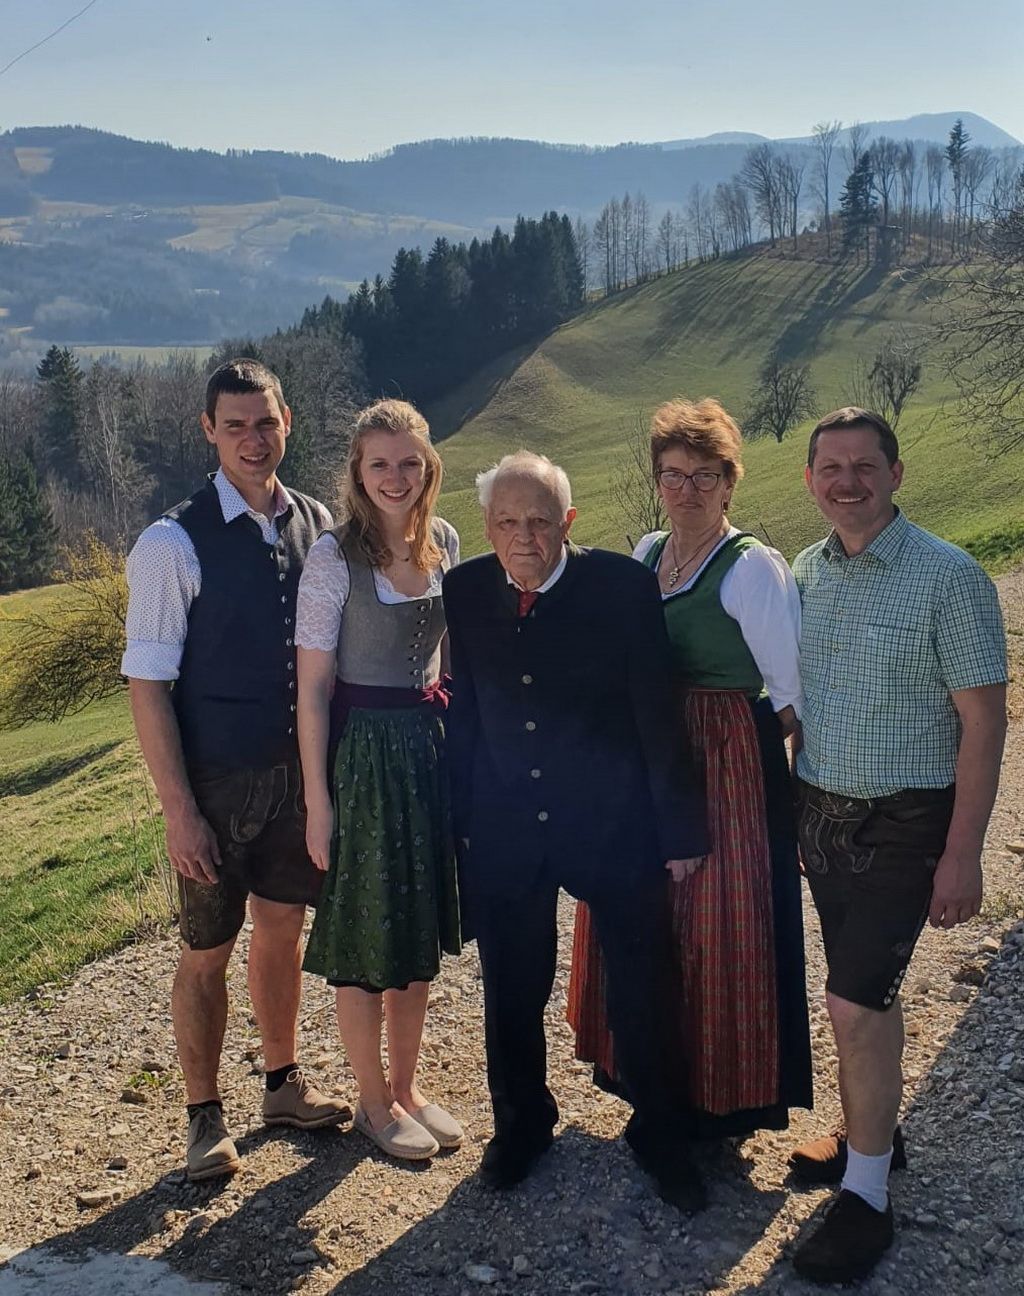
(895, 194)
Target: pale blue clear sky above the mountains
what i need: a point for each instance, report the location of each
(356, 77)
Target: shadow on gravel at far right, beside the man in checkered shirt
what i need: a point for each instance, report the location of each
(960, 1206)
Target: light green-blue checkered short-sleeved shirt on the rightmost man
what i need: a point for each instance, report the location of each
(889, 636)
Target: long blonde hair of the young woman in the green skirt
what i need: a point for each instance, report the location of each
(361, 518)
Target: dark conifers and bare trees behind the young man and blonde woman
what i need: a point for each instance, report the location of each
(102, 449)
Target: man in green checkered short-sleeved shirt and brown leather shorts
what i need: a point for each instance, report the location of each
(904, 672)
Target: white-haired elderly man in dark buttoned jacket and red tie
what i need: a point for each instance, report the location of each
(566, 773)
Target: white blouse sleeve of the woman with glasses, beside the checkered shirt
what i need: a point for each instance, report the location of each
(759, 592)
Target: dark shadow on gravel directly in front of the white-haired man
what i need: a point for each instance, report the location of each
(588, 1220)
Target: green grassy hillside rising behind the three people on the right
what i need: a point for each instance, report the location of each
(704, 332)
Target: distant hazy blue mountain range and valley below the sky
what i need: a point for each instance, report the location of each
(89, 220)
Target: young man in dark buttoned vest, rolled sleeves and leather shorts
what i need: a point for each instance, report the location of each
(212, 677)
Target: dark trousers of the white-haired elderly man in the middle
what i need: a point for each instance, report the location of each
(518, 938)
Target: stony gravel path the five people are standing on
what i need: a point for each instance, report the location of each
(93, 1131)
